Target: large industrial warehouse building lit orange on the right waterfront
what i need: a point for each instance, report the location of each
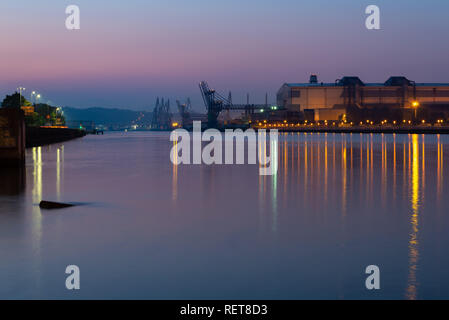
(329, 101)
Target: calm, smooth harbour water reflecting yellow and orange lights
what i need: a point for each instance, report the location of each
(147, 229)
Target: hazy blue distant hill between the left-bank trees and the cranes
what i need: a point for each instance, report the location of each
(106, 116)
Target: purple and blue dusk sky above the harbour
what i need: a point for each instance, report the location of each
(128, 52)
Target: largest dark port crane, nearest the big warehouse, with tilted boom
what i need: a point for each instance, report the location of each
(215, 103)
